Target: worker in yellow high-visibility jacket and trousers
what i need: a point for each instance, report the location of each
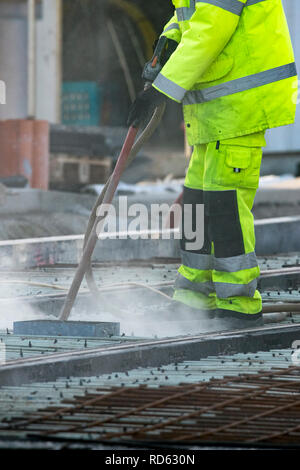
(234, 71)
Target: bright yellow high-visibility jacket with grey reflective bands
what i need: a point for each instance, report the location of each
(234, 68)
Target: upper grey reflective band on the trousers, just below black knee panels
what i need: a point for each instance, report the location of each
(227, 265)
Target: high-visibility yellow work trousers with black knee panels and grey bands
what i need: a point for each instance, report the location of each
(224, 177)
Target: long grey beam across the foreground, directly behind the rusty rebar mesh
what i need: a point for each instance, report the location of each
(145, 354)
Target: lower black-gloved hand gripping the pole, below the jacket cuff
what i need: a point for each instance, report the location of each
(144, 106)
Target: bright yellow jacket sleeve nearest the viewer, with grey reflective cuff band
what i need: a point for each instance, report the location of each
(210, 28)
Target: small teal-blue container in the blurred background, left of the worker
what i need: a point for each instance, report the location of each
(81, 103)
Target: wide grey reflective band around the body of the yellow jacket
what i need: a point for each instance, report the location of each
(240, 84)
